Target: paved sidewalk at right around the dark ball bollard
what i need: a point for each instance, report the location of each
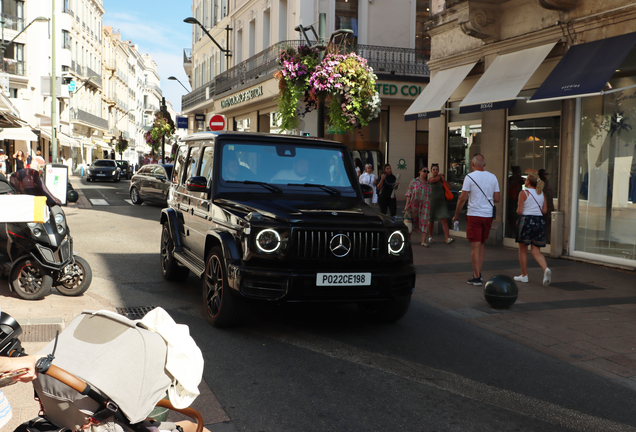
(586, 317)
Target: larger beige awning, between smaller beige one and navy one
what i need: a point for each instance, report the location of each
(500, 85)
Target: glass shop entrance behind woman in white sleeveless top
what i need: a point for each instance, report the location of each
(533, 147)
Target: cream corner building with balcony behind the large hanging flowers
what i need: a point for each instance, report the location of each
(236, 80)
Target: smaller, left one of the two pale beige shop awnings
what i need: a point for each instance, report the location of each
(429, 104)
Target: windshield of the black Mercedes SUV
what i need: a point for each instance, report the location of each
(286, 164)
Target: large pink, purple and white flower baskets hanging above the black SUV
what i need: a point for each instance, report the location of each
(345, 82)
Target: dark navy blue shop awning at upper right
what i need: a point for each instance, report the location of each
(585, 69)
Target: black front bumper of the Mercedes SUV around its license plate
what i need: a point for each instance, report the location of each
(300, 285)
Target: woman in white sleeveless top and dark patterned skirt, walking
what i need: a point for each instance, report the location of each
(532, 205)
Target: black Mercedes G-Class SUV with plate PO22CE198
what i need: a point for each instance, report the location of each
(280, 218)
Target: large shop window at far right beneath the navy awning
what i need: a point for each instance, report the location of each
(606, 173)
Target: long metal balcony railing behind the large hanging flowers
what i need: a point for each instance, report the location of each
(383, 60)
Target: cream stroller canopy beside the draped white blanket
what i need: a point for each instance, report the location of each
(119, 359)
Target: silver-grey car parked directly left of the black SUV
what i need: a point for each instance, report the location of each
(151, 183)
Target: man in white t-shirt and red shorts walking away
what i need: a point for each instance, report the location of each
(480, 208)
